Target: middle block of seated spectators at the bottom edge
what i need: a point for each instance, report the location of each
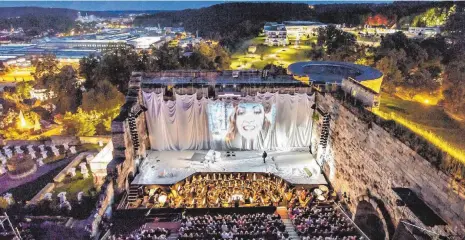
(258, 226)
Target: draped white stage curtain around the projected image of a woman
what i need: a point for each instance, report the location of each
(183, 123)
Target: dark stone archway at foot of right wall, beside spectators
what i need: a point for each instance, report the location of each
(370, 218)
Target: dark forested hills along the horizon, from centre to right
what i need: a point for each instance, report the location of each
(232, 22)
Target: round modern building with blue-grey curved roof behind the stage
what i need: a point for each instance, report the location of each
(329, 72)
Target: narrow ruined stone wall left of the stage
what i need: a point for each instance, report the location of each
(123, 166)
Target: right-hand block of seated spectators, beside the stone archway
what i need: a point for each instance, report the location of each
(322, 222)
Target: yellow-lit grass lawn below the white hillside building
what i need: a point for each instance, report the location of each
(264, 55)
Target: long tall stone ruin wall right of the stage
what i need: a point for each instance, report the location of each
(369, 162)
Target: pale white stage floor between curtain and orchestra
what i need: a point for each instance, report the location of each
(170, 167)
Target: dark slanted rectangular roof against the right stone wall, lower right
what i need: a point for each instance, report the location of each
(426, 215)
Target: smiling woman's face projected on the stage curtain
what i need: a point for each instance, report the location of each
(249, 119)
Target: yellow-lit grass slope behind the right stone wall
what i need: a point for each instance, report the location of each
(426, 118)
